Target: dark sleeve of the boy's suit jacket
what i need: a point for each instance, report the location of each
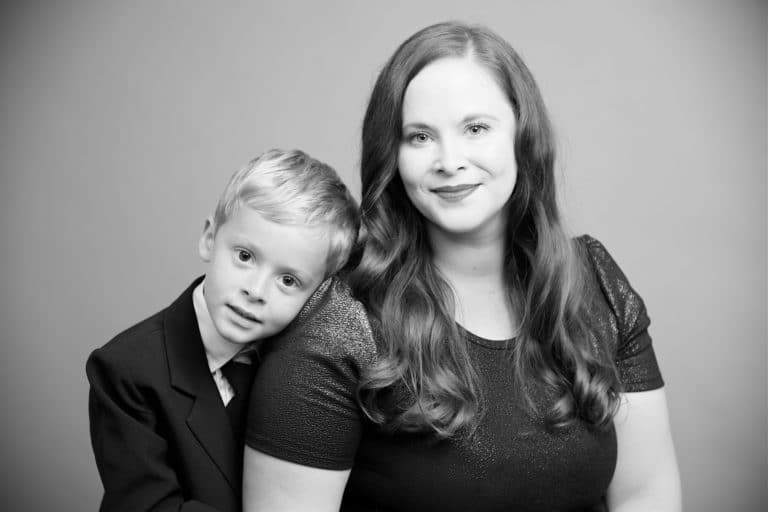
(131, 454)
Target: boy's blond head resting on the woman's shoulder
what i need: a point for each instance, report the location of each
(284, 223)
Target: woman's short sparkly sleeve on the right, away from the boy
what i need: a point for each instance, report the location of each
(632, 345)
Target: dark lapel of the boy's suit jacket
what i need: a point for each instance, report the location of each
(189, 373)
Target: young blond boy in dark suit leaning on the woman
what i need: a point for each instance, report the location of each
(168, 396)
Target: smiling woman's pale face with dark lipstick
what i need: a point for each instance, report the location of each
(457, 155)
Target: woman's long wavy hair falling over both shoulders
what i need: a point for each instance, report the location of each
(424, 379)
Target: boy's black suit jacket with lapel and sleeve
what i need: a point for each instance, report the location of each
(160, 432)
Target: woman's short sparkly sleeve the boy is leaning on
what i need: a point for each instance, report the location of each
(303, 406)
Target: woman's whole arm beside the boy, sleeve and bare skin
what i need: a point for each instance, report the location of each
(304, 422)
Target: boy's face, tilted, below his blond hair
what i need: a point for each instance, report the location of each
(260, 273)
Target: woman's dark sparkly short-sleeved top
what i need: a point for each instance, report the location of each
(303, 409)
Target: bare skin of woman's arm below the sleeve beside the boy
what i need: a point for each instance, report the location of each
(275, 485)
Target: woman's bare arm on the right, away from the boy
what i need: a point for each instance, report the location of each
(646, 477)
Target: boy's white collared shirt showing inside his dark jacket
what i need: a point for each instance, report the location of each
(218, 351)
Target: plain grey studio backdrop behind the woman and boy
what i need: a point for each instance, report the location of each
(121, 121)
